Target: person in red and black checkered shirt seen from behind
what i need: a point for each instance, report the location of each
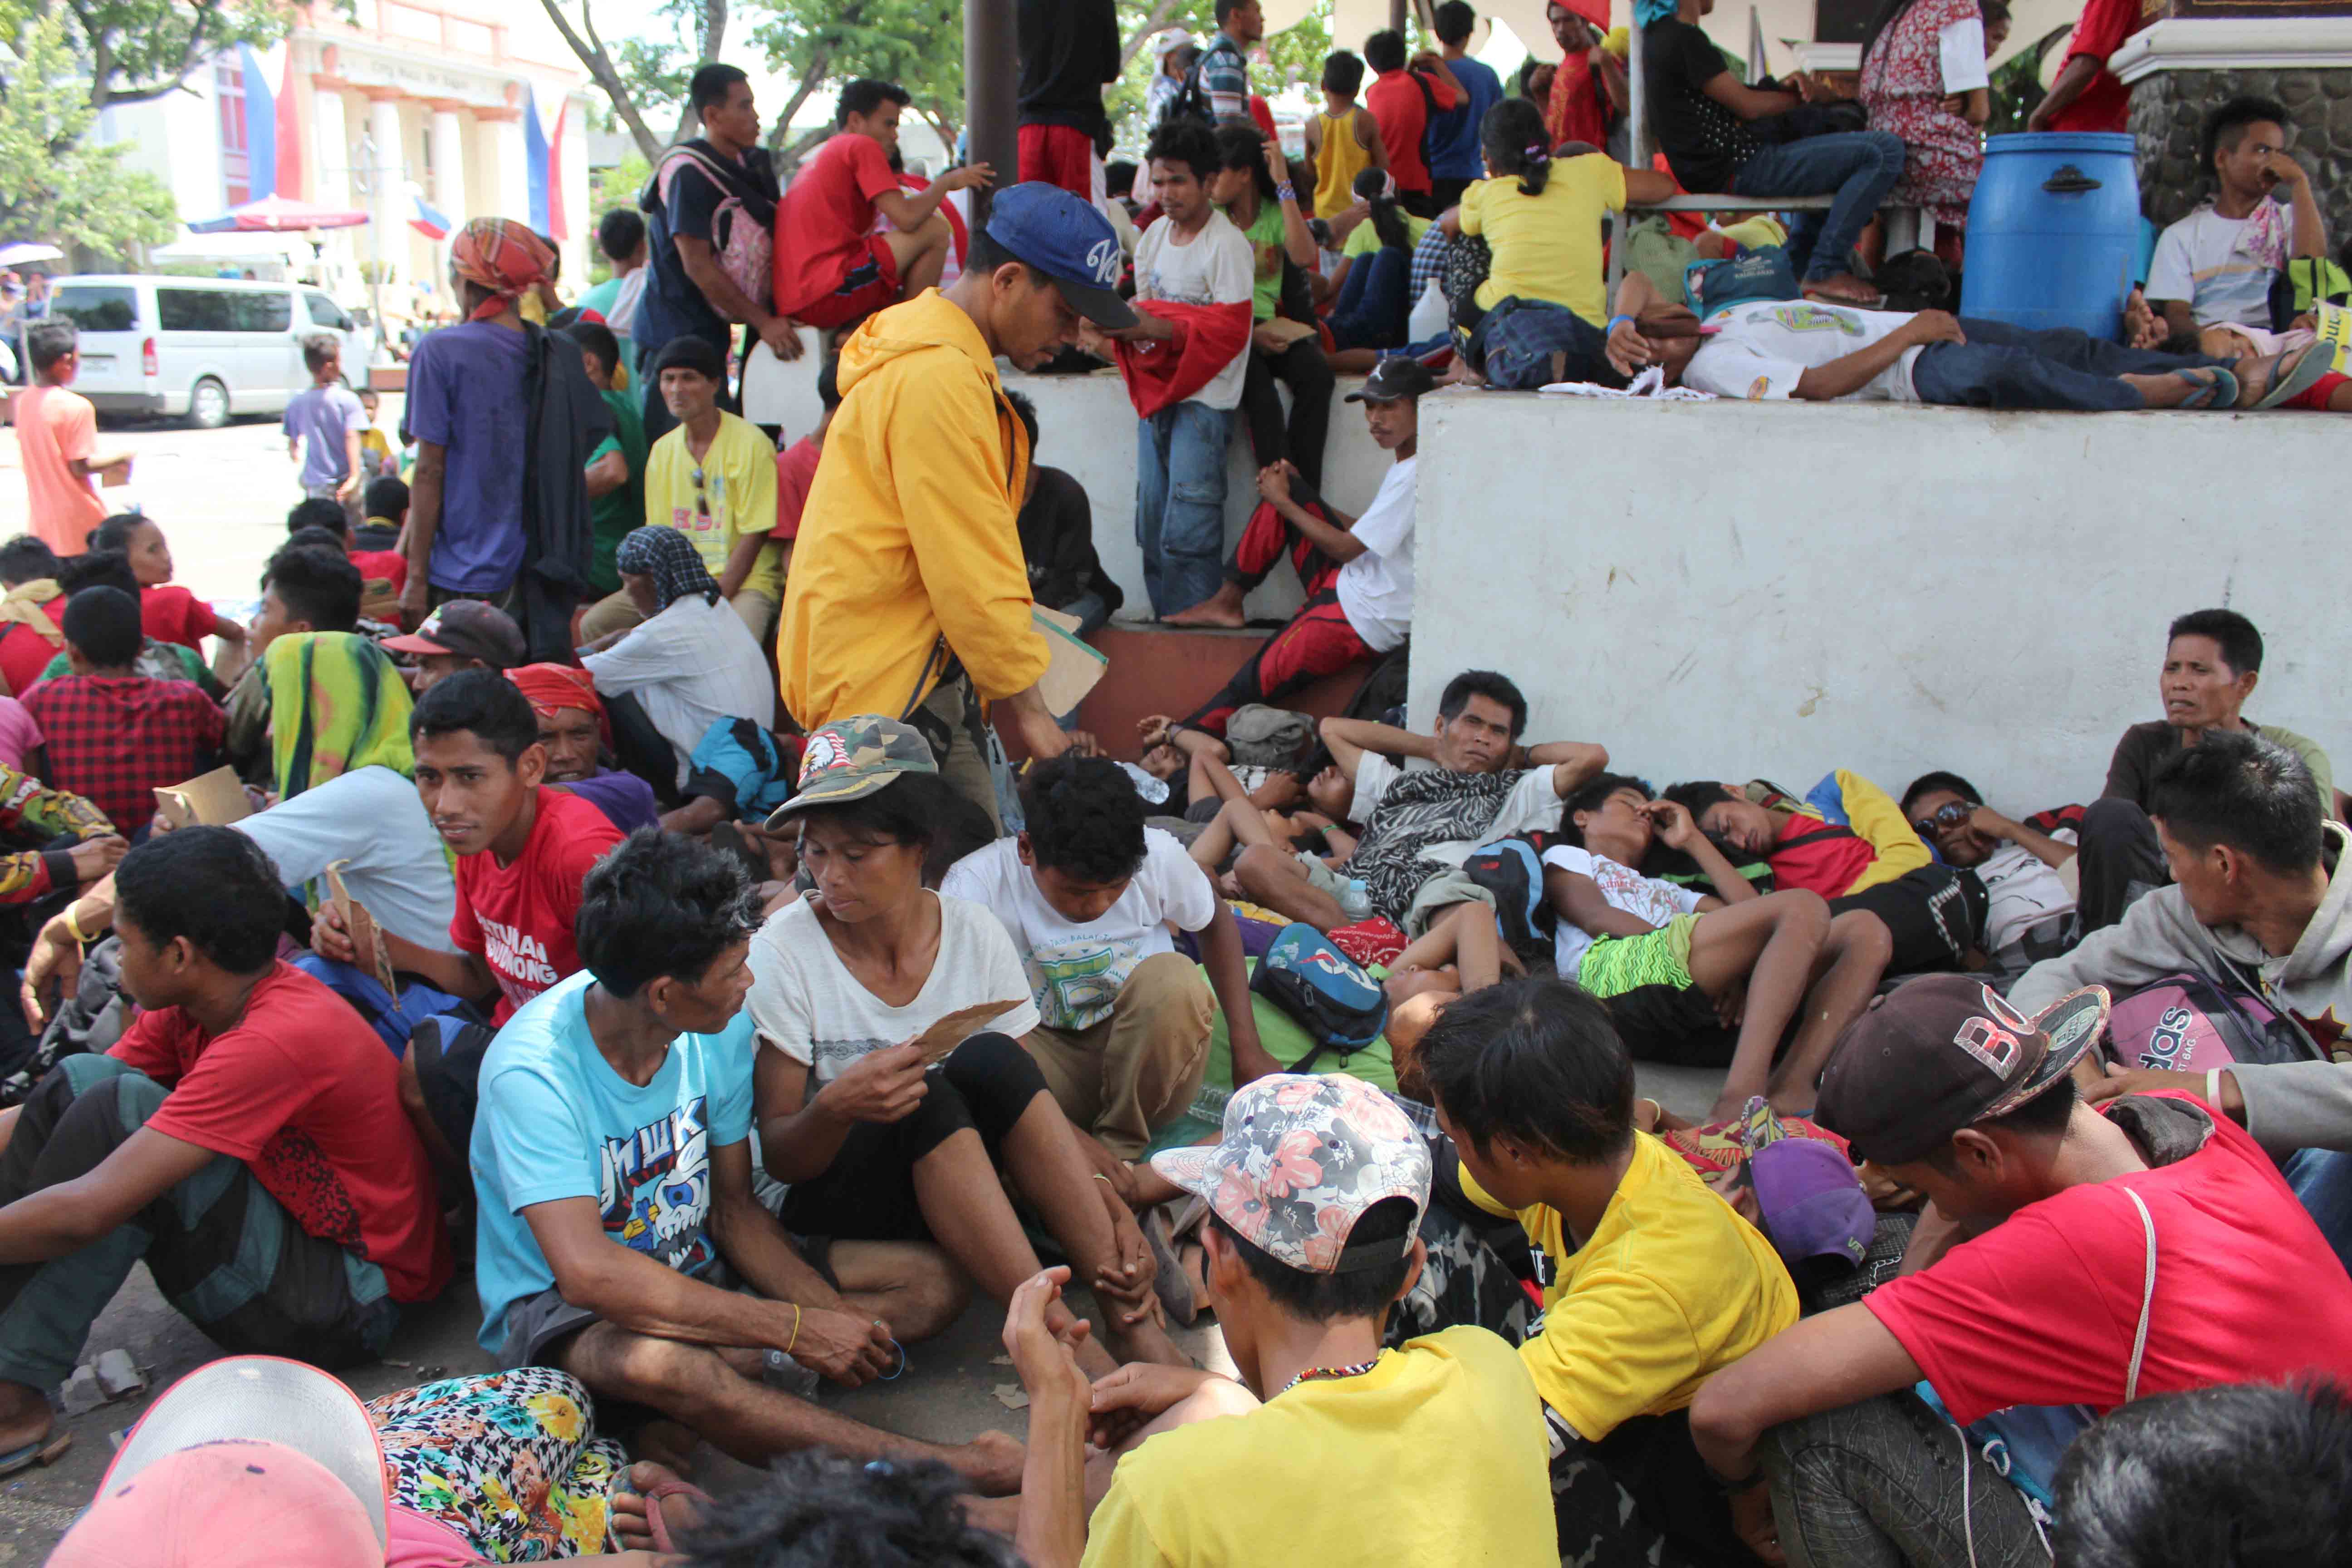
(112, 732)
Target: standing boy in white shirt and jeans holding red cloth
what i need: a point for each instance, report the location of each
(1184, 363)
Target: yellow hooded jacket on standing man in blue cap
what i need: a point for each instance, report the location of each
(909, 549)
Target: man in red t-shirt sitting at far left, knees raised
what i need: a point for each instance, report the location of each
(243, 1139)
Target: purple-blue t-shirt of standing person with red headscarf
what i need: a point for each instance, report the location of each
(467, 396)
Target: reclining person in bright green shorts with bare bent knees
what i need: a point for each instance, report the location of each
(1673, 963)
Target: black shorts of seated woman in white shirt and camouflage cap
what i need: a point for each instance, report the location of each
(869, 1191)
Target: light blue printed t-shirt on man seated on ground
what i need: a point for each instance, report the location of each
(559, 1123)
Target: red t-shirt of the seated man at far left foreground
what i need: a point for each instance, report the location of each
(305, 1092)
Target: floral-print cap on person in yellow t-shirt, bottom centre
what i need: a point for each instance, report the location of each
(1302, 1160)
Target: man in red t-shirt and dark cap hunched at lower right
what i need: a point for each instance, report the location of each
(2069, 1259)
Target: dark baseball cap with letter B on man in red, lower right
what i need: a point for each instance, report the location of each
(1944, 1052)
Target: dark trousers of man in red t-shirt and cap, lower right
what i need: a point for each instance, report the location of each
(1887, 1482)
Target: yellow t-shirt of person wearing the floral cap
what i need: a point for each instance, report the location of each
(1429, 1461)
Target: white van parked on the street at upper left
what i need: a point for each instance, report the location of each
(199, 347)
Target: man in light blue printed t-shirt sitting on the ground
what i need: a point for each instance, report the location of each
(613, 1165)
